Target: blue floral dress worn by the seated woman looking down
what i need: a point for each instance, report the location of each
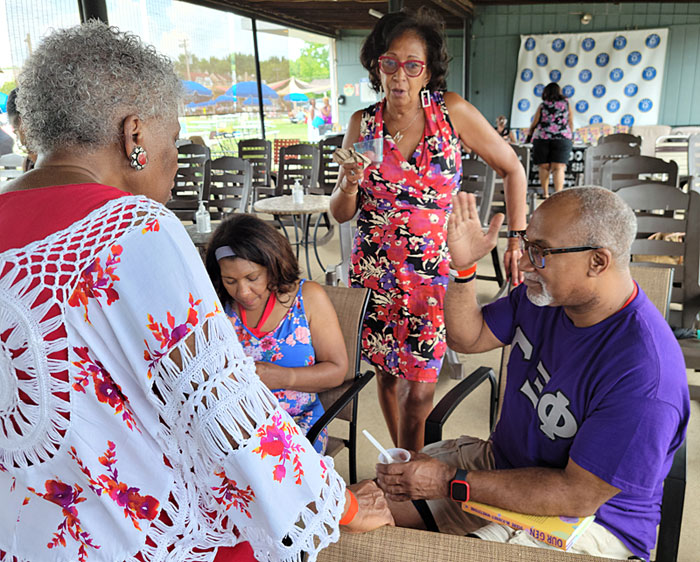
(288, 345)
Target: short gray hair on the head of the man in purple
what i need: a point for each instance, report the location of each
(604, 220)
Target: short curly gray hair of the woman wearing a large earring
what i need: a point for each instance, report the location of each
(81, 82)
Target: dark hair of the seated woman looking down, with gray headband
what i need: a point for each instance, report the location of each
(252, 239)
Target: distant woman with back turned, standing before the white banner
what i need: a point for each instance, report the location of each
(551, 133)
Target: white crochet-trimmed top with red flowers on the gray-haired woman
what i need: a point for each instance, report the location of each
(142, 431)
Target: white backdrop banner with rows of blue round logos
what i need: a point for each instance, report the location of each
(612, 77)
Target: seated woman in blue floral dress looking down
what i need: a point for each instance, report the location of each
(278, 316)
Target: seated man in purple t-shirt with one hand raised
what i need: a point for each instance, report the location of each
(596, 399)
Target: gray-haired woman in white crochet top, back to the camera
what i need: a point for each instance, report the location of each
(132, 426)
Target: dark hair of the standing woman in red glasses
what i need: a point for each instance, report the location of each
(426, 25)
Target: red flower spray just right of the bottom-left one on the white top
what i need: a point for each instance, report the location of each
(135, 505)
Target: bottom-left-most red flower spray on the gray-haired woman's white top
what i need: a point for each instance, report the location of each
(67, 497)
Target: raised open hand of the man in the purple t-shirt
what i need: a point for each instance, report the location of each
(466, 239)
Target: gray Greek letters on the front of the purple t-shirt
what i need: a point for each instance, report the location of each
(556, 419)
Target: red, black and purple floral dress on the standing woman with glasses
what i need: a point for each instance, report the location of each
(400, 249)
